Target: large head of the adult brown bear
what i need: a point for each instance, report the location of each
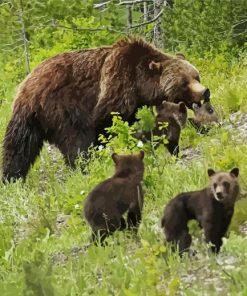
(179, 81)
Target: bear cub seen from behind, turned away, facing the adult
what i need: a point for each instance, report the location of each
(106, 204)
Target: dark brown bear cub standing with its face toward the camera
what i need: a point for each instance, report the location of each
(212, 207)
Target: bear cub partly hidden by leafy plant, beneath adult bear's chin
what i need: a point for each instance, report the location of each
(175, 115)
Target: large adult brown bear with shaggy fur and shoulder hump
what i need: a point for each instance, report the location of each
(67, 99)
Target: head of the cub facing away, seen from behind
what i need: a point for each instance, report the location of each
(131, 166)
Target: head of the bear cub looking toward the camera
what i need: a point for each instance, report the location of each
(224, 186)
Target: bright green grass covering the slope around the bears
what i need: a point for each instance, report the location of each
(39, 256)
